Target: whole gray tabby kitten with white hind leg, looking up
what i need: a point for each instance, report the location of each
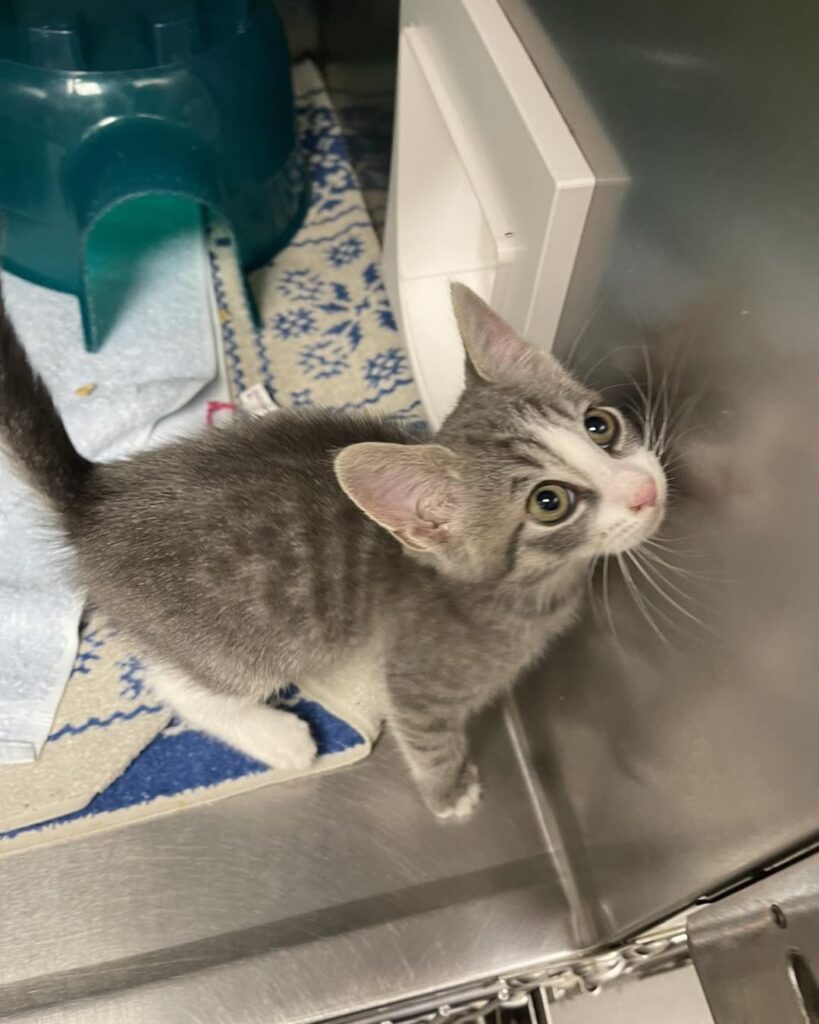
(312, 544)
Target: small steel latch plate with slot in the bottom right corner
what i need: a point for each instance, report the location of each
(757, 953)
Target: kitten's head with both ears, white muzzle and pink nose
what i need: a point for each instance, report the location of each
(530, 475)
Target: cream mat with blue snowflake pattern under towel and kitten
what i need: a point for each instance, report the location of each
(329, 338)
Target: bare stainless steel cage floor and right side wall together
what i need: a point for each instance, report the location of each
(641, 774)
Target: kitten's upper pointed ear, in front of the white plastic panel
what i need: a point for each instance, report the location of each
(495, 354)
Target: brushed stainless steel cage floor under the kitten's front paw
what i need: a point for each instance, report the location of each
(291, 904)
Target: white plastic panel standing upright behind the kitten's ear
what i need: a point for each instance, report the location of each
(489, 187)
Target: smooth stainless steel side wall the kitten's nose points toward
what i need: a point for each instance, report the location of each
(667, 770)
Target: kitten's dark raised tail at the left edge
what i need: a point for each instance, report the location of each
(31, 431)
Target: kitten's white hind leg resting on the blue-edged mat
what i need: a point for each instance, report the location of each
(276, 738)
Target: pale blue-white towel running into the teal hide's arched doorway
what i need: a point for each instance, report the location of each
(159, 352)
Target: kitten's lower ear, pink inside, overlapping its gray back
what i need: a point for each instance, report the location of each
(411, 490)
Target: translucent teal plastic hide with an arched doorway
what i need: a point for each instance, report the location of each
(104, 103)
